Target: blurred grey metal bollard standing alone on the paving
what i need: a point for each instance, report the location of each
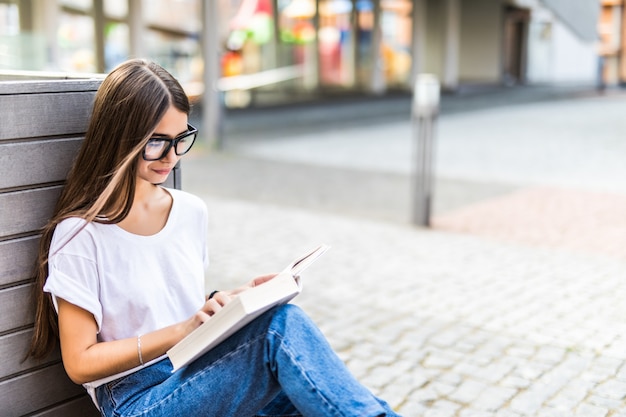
(424, 115)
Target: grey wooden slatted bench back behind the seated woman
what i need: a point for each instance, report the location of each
(42, 123)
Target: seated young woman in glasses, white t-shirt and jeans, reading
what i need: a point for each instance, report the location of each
(120, 280)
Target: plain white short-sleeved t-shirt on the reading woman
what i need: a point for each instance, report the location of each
(132, 284)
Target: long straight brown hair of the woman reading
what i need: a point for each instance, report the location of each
(100, 187)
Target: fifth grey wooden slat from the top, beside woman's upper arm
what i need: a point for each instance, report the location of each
(17, 307)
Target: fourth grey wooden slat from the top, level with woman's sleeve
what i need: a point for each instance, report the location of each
(17, 257)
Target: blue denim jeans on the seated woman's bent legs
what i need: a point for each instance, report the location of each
(278, 365)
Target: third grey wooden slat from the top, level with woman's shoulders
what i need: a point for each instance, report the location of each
(26, 211)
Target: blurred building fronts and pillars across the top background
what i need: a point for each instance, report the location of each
(271, 51)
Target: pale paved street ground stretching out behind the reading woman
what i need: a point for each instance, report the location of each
(511, 304)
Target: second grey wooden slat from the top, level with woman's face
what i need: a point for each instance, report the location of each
(36, 162)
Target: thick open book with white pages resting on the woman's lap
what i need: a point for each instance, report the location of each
(241, 310)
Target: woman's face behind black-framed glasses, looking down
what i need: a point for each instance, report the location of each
(173, 123)
